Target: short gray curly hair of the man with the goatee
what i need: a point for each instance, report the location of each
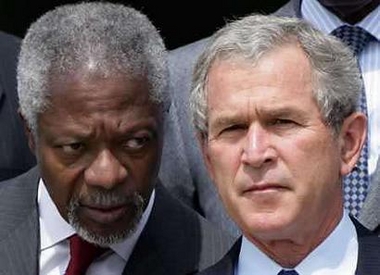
(108, 38)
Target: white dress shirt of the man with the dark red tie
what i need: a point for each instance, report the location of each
(54, 246)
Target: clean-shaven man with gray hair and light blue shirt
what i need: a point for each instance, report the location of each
(273, 101)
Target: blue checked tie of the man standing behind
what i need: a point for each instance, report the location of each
(356, 183)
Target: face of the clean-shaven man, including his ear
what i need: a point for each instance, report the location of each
(276, 164)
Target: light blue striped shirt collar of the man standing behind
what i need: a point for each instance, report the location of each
(326, 21)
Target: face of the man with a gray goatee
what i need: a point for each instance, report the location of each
(98, 148)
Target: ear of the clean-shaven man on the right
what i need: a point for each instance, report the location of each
(352, 138)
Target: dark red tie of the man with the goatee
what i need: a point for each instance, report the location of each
(82, 254)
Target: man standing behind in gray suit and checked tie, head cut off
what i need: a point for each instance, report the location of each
(356, 23)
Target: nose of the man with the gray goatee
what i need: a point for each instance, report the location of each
(105, 171)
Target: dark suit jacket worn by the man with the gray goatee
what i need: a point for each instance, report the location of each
(175, 240)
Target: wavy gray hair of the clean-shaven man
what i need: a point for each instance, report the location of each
(336, 77)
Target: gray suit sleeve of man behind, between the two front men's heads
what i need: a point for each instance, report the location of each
(182, 168)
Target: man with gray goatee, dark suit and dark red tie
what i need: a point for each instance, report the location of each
(92, 82)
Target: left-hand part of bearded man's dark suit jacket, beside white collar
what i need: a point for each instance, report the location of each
(19, 235)
